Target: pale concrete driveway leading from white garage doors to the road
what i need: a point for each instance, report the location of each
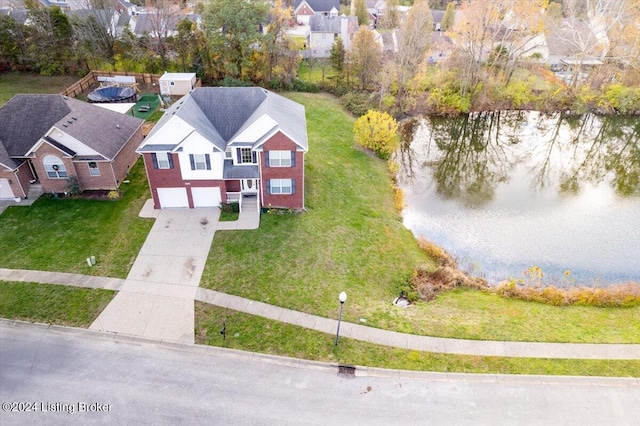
(156, 300)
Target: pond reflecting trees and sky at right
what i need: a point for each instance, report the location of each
(506, 191)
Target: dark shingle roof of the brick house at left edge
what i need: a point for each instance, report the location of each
(25, 119)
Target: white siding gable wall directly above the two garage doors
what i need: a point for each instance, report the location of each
(196, 144)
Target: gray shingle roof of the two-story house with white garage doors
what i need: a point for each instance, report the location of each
(221, 113)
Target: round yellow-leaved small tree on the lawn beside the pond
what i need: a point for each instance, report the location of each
(377, 131)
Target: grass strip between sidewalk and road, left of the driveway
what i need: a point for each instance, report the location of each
(52, 304)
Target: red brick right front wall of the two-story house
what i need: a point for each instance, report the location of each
(293, 201)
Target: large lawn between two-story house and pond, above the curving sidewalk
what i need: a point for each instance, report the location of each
(352, 239)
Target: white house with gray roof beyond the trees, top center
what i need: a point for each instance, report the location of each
(324, 30)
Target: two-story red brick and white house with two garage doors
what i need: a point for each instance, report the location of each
(221, 144)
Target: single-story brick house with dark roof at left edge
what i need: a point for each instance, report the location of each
(46, 139)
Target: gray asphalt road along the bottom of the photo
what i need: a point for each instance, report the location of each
(81, 377)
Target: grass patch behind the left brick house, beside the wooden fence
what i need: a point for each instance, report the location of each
(12, 83)
